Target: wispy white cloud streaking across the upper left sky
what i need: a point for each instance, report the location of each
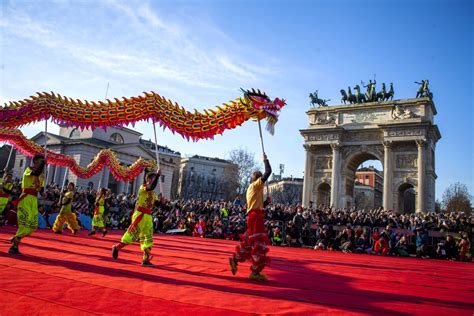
(160, 50)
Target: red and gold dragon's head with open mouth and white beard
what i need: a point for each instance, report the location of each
(264, 107)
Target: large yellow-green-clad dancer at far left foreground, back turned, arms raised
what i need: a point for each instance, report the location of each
(27, 207)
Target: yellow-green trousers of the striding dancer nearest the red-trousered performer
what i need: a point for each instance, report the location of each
(143, 231)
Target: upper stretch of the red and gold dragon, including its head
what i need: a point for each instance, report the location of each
(150, 106)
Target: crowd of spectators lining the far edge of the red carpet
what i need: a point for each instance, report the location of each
(436, 235)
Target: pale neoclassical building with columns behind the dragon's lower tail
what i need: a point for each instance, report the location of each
(83, 146)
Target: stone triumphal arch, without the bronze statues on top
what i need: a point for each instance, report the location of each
(401, 134)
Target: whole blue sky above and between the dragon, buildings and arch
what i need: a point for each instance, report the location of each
(199, 53)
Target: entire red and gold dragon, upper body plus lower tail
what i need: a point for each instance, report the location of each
(151, 106)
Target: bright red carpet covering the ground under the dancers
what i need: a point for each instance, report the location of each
(64, 274)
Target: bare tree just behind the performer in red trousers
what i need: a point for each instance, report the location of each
(246, 163)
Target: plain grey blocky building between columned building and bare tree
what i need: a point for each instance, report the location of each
(207, 178)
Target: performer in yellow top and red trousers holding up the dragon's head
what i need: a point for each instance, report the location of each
(253, 243)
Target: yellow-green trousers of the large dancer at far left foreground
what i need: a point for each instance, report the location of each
(27, 214)
